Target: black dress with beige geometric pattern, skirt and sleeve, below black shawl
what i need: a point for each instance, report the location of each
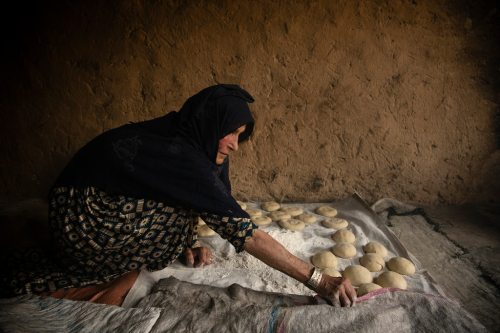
(99, 237)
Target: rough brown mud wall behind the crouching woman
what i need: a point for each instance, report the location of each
(386, 98)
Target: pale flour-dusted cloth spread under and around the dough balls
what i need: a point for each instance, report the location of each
(230, 267)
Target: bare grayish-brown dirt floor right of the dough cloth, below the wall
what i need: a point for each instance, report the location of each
(459, 246)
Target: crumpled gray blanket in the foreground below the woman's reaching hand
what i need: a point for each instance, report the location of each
(187, 307)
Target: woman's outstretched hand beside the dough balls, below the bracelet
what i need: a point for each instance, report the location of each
(335, 289)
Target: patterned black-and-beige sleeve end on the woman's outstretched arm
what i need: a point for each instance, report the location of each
(235, 230)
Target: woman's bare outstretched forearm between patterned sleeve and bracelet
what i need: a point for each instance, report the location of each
(267, 249)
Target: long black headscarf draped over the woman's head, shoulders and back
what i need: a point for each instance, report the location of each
(171, 158)
